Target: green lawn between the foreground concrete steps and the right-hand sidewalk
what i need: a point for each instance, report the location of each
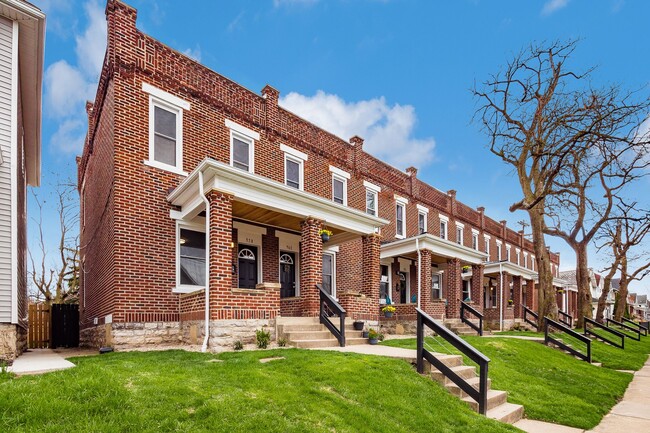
(551, 385)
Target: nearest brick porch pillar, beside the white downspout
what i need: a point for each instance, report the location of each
(220, 248)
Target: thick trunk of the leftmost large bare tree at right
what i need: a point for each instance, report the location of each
(547, 306)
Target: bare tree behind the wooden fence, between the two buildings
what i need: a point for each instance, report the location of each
(57, 281)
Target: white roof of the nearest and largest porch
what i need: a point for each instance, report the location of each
(259, 191)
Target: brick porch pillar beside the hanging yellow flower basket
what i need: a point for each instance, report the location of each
(311, 266)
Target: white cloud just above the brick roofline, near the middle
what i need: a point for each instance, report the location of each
(387, 130)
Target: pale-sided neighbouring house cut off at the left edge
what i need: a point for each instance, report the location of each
(22, 34)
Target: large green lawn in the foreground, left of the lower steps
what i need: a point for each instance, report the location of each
(177, 391)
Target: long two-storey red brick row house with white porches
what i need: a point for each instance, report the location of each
(189, 181)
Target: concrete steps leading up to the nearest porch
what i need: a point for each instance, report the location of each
(309, 333)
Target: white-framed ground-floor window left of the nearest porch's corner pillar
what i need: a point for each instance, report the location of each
(190, 257)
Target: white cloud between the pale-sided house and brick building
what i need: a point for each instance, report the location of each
(68, 86)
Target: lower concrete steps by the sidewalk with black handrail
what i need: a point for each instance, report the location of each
(498, 406)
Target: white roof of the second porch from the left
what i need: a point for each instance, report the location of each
(439, 247)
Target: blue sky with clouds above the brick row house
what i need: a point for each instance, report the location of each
(396, 72)
